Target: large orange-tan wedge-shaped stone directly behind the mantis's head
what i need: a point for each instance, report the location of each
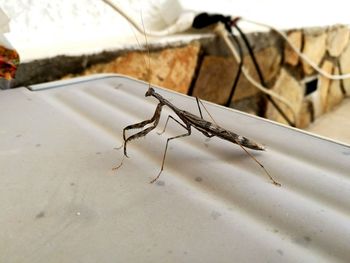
(171, 68)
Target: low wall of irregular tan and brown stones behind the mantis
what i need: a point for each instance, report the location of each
(205, 68)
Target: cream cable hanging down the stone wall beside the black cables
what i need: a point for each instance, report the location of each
(220, 30)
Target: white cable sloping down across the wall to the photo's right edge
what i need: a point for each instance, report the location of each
(300, 54)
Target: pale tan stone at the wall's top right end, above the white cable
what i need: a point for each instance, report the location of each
(337, 40)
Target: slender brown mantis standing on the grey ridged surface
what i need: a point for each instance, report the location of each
(189, 120)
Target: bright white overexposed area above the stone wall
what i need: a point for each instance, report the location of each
(42, 28)
